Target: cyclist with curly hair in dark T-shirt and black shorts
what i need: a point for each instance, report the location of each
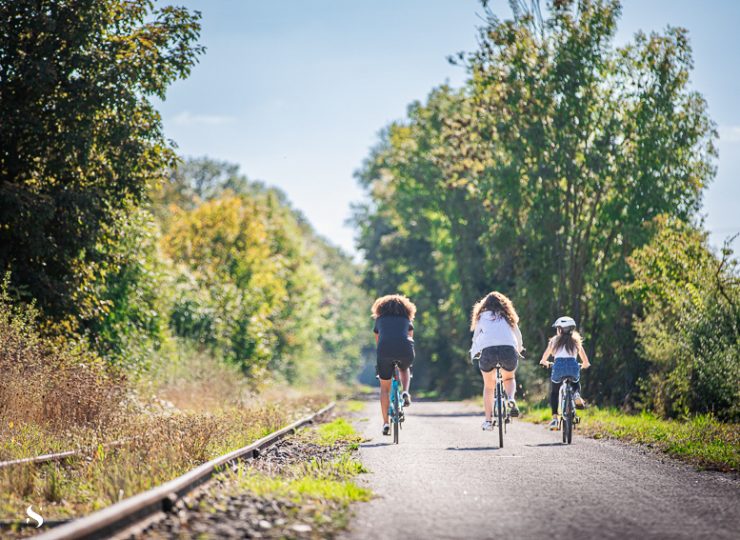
(394, 336)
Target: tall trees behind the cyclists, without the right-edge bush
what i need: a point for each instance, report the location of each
(535, 179)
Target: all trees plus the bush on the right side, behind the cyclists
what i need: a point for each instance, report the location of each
(568, 173)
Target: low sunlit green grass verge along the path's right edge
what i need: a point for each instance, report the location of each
(702, 440)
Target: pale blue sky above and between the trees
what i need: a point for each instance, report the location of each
(296, 91)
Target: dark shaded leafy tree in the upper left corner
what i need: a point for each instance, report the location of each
(81, 141)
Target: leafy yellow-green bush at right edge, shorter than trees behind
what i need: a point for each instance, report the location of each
(687, 321)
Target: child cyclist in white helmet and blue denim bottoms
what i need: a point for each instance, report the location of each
(565, 346)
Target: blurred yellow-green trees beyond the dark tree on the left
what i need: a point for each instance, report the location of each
(255, 282)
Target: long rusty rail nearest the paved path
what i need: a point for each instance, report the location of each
(139, 511)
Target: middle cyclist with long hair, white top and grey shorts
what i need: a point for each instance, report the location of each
(497, 338)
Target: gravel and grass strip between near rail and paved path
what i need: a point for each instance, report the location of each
(301, 487)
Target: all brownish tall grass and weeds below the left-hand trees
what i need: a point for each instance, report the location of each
(56, 395)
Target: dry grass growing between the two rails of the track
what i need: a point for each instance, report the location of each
(161, 446)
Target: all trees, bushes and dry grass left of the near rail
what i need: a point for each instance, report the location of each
(167, 304)
